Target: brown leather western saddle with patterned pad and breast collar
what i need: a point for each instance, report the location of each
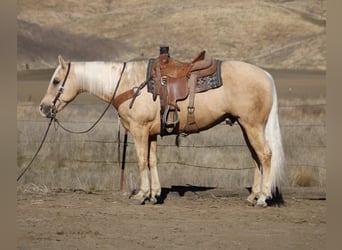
(175, 81)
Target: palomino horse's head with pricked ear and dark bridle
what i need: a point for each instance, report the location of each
(62, 90)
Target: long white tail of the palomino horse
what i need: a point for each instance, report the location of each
(274, 139)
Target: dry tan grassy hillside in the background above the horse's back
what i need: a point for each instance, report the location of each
(269, 33)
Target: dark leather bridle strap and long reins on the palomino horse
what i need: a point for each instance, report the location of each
(53, 118)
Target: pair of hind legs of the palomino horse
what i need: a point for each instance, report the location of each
(261, 153)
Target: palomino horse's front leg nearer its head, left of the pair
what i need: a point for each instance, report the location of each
(141, 141)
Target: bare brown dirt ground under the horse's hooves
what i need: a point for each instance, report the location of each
(189, 218)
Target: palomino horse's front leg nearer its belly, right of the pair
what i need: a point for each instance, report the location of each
(155, 184)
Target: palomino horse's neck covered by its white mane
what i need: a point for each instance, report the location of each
(98, 78)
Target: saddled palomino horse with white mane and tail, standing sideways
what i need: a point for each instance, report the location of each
(248, 96)
